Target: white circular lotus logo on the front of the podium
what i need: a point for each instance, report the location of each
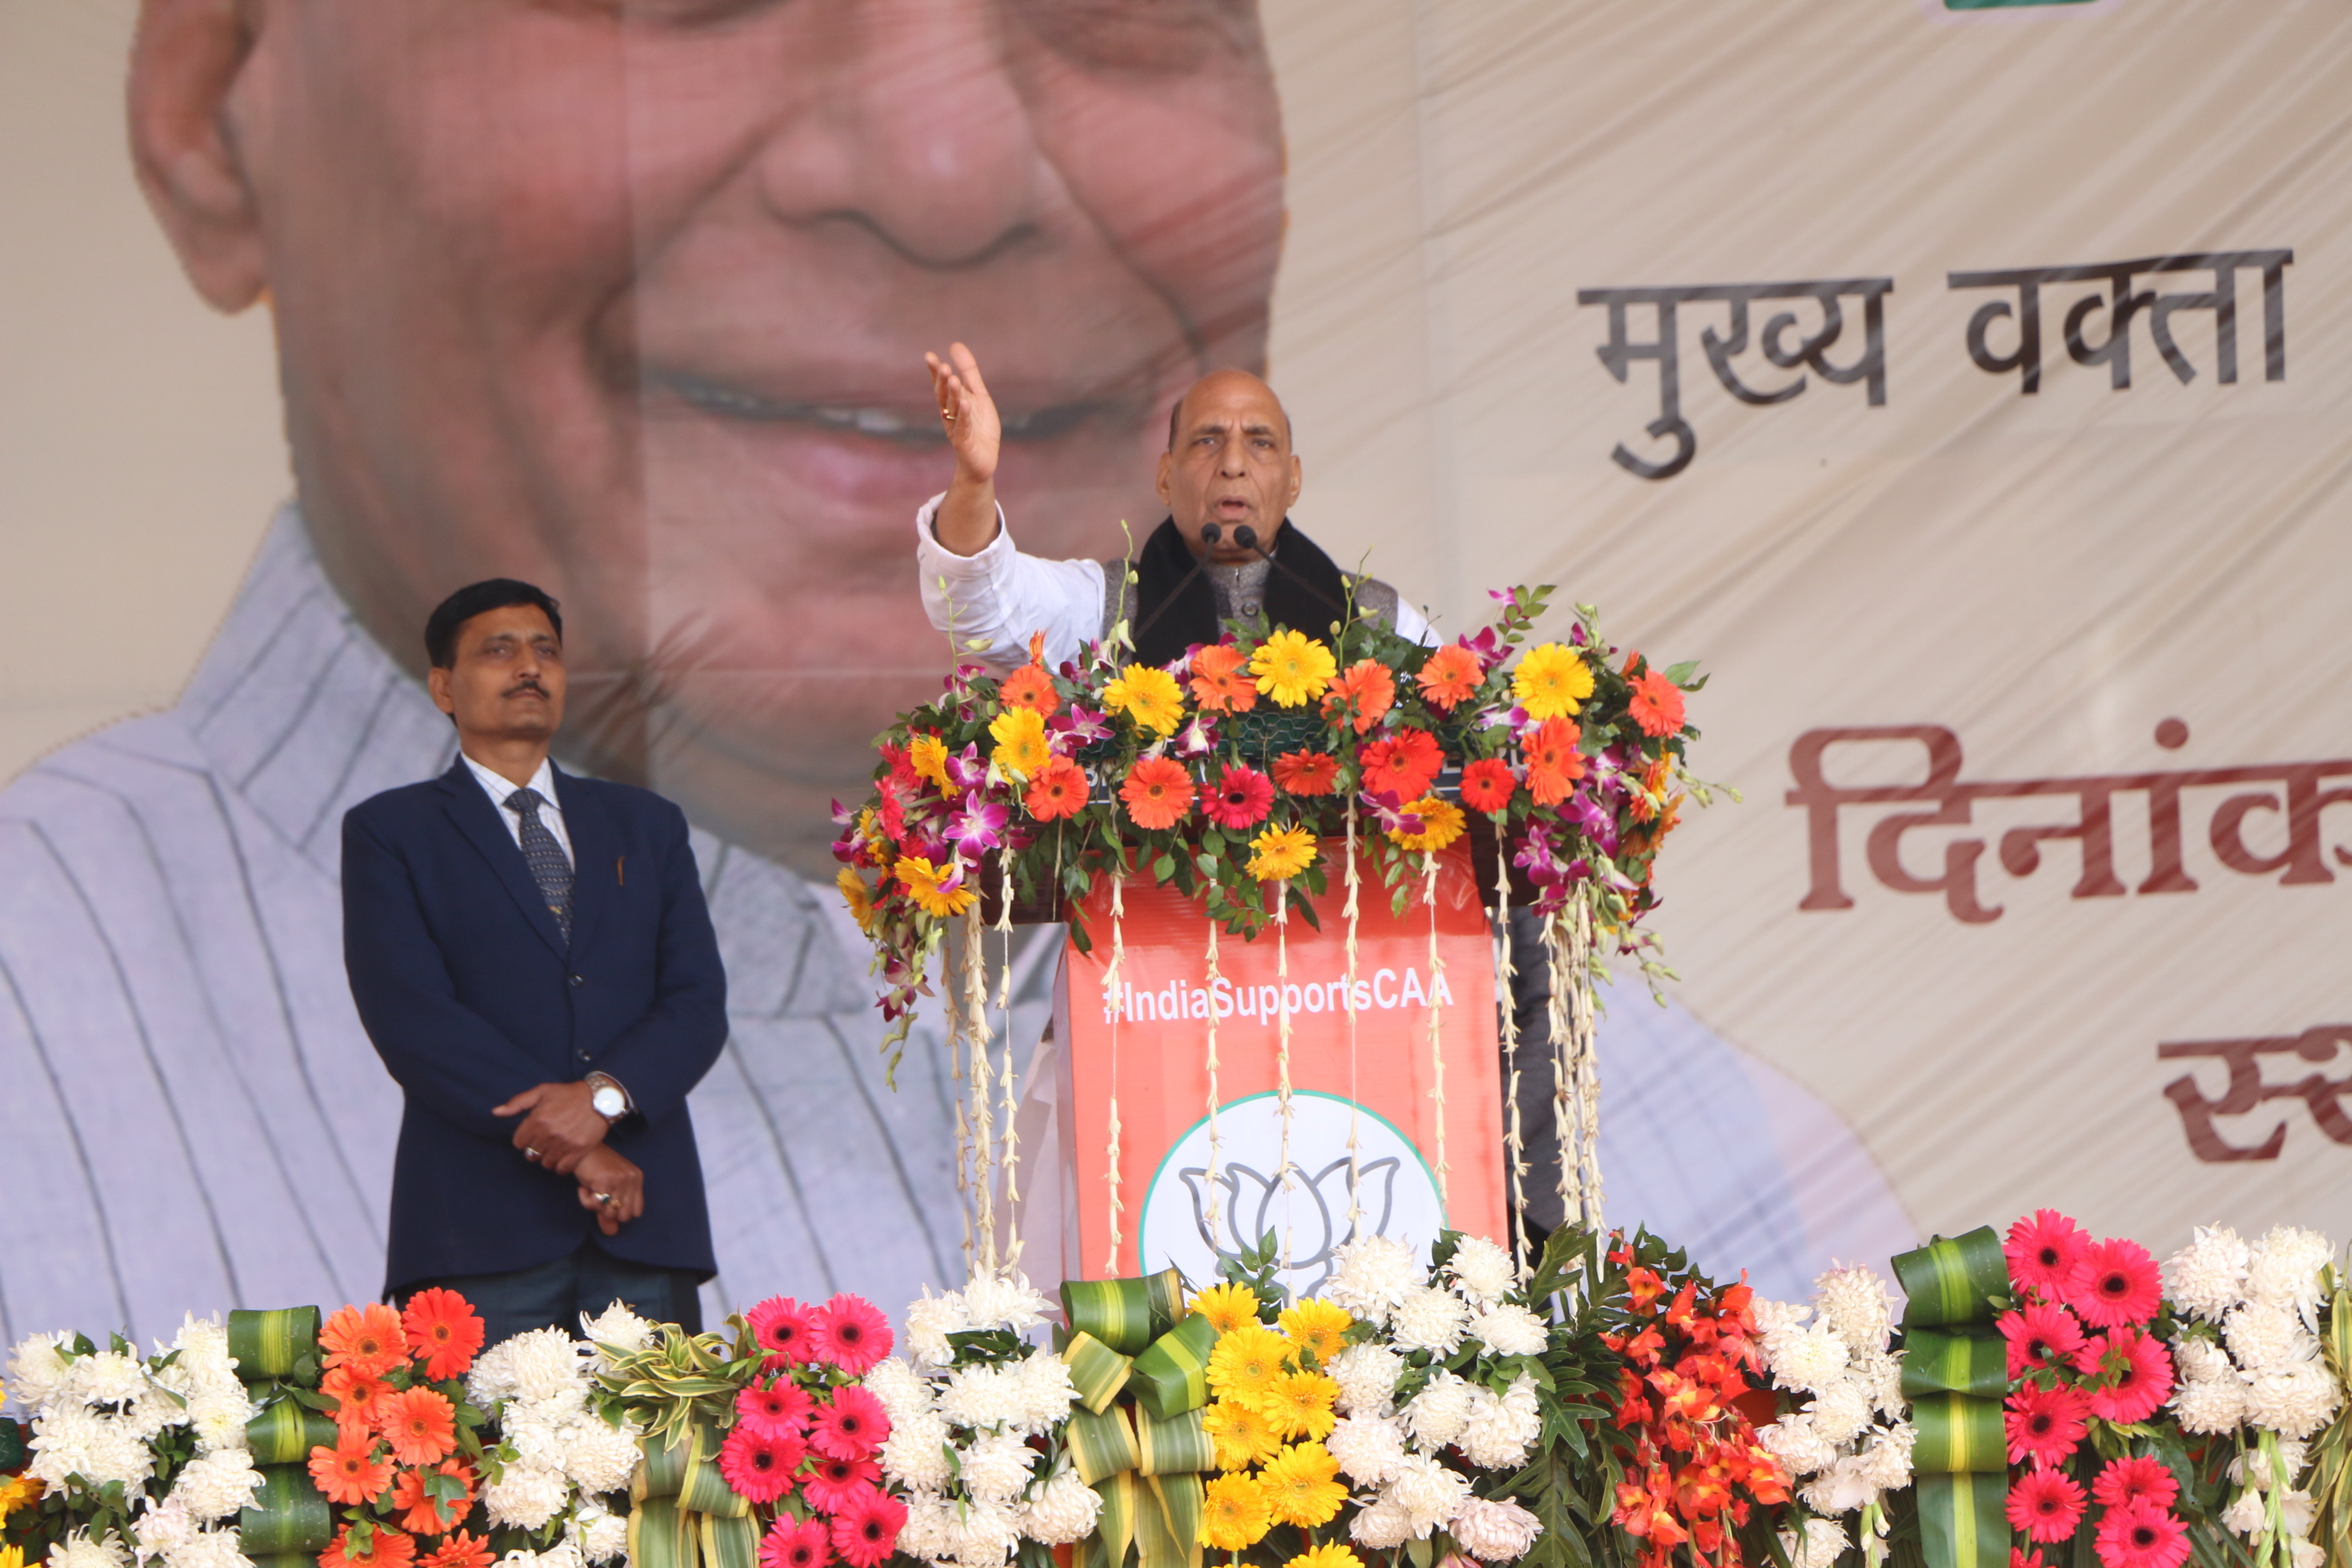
(1309, 1202)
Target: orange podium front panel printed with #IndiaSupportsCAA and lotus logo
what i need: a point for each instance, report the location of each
(1384, 1130)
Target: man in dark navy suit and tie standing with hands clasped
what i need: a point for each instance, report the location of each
(535, 946)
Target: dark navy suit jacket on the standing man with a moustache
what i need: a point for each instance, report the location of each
(472, 996)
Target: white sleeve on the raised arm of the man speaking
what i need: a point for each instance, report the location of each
(1003, 596)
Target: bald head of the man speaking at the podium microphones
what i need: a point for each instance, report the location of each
(1229, 462)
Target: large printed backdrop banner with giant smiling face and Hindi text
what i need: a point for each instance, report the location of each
(1967, 387)
